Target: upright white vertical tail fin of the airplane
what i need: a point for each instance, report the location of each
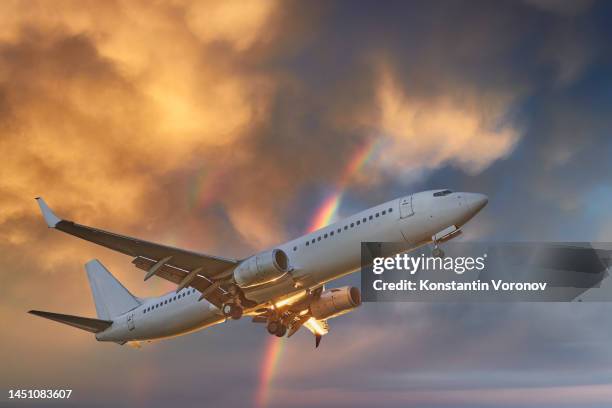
(110, 297)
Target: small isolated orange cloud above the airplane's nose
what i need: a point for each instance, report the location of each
(468, 130)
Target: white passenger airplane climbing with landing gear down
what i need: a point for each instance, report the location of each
(282, 287)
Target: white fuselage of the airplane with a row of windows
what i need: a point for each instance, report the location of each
(315, 258)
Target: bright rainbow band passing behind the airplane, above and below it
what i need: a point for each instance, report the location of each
(323, 216)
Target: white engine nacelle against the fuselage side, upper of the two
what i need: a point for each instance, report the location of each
(261, 268)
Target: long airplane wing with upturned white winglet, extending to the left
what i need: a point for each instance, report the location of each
(179, 266)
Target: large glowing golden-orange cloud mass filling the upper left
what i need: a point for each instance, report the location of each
(97, 111)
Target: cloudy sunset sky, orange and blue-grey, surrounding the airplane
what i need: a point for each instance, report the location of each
(224, 127)
